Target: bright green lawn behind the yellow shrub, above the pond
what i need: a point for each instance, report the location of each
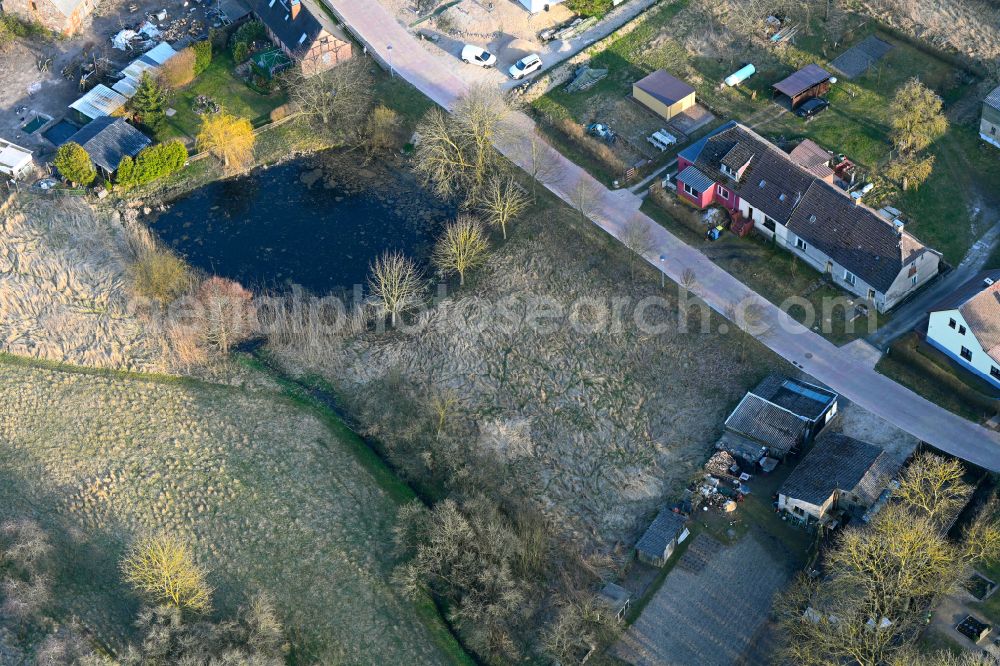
(219, 83)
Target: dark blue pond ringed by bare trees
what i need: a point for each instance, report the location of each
(317, 222)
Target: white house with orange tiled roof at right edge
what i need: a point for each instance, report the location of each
(966, 326)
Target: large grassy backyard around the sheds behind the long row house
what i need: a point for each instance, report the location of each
(677, 36)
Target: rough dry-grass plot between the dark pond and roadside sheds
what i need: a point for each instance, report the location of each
(596, 427)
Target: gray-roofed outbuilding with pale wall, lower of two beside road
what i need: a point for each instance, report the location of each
(840, 473)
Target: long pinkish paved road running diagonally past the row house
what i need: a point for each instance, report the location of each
(844, 370)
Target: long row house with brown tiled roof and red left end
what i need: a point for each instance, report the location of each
(790, 202)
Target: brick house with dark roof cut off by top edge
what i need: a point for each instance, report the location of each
(305, 33)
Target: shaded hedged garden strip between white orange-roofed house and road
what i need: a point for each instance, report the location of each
(927, 372)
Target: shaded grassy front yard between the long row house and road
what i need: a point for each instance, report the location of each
(772, 272)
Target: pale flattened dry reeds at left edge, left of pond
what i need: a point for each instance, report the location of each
(62, 286)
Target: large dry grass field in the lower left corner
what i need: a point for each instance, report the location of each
(269, 495)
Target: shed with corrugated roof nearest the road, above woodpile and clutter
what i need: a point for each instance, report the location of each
(777, 417)
